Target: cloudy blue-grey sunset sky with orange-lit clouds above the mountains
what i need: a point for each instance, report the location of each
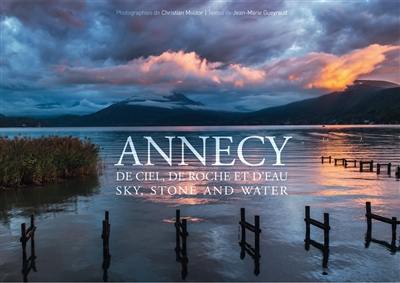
(77, 57)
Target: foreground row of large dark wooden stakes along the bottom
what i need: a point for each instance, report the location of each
(251, 249)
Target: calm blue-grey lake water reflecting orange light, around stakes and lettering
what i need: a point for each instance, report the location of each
(69, 215)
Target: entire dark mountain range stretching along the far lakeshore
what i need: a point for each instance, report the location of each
(363, 102)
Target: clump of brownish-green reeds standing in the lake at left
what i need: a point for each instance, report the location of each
(38, 161)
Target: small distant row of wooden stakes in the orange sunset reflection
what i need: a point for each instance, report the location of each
(364, 165)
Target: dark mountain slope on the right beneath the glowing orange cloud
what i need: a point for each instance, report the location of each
(358, 104)
